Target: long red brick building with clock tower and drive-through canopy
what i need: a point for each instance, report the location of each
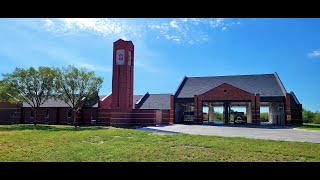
(122, 108)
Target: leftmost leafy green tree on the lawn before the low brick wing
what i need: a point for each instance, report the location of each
(32, 86)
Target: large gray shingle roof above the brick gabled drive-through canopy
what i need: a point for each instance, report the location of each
(266, 84)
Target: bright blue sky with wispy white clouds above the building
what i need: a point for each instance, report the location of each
(166, 50)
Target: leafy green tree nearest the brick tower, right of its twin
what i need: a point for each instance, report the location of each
(76, 87)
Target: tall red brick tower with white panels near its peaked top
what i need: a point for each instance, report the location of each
(122, 83)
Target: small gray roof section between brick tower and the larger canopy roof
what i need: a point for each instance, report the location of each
(156, 101)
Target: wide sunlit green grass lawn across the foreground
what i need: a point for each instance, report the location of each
(66, 143)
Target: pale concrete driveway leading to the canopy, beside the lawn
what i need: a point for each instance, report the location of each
(273, 133)
